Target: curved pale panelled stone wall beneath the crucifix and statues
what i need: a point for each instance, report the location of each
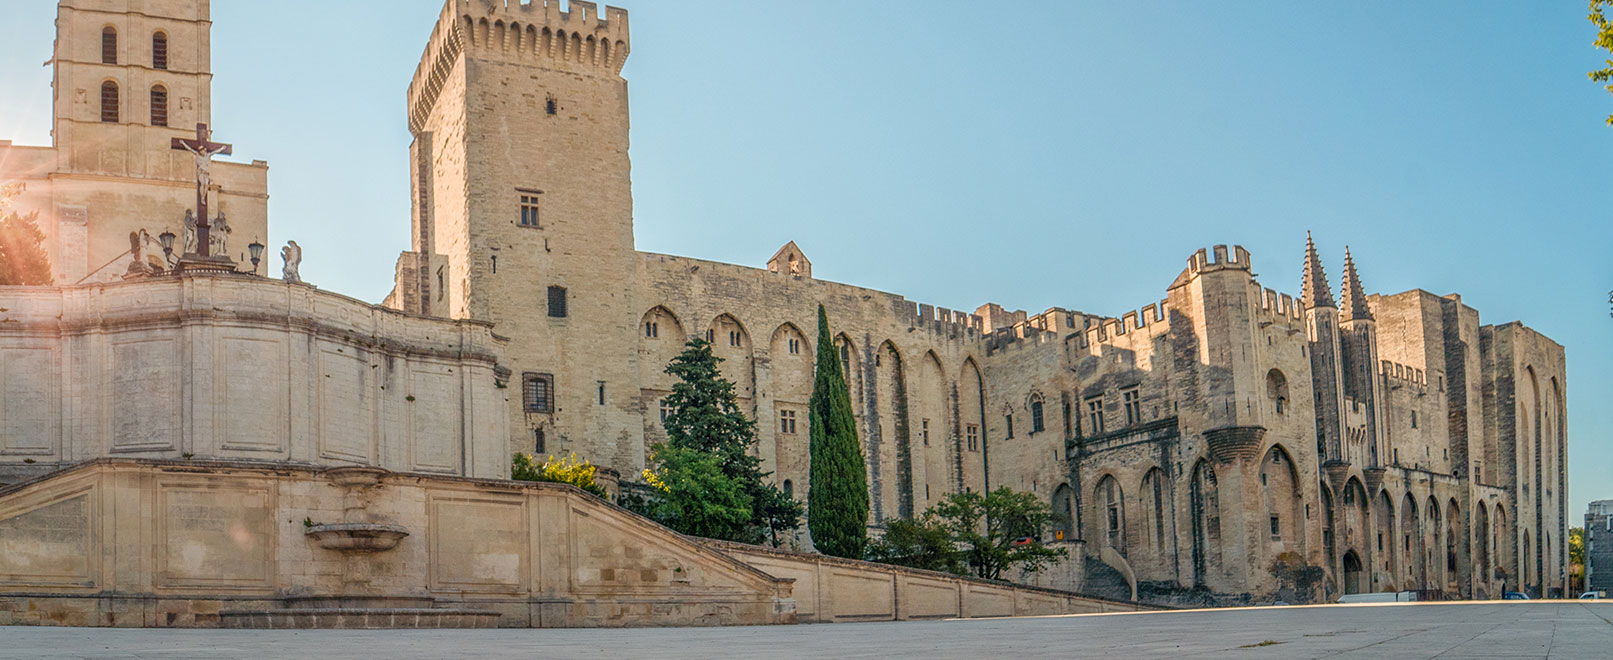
(244, 369)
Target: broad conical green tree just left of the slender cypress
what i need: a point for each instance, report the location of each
(706, 420)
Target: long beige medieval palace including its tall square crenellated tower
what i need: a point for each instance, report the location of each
(1227, 437)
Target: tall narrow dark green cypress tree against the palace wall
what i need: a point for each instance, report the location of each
(838, 501)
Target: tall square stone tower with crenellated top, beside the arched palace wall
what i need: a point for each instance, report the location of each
(523, 212)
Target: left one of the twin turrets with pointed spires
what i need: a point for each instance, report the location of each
(1322, 324)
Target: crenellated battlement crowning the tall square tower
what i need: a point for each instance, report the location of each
(525, 31)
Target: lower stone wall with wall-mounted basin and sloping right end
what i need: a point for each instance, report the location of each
(143, 543)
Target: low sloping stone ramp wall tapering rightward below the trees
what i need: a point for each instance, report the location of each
(832, 590)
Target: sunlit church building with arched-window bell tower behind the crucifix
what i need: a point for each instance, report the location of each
(130, 77)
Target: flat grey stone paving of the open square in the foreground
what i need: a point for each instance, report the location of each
(1478, 630)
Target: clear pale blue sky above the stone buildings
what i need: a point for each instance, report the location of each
(1033, 154)
